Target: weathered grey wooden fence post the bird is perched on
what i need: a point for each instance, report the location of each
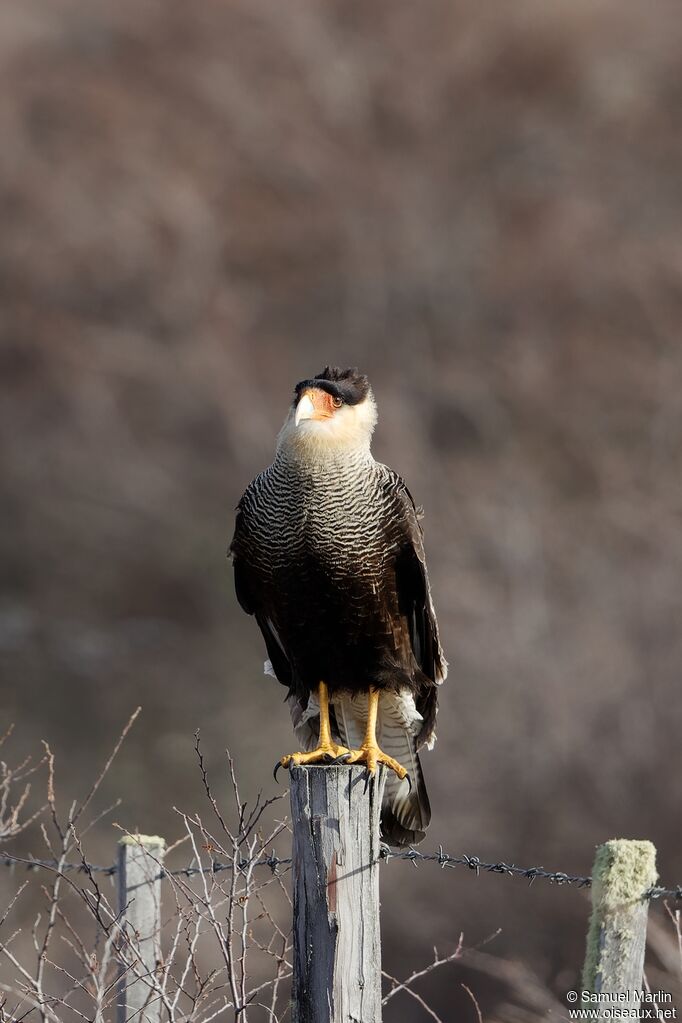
(337, 938)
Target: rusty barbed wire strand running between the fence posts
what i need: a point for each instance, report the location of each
(274, 862)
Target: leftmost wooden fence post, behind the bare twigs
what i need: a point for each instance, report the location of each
(141, 859)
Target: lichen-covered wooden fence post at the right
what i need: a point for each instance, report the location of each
(617, 937)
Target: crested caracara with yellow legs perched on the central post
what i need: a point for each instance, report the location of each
(329, 557)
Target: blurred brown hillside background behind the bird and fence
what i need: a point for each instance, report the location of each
(480, 207)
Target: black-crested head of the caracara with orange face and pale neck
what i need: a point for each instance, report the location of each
(335, 411)
